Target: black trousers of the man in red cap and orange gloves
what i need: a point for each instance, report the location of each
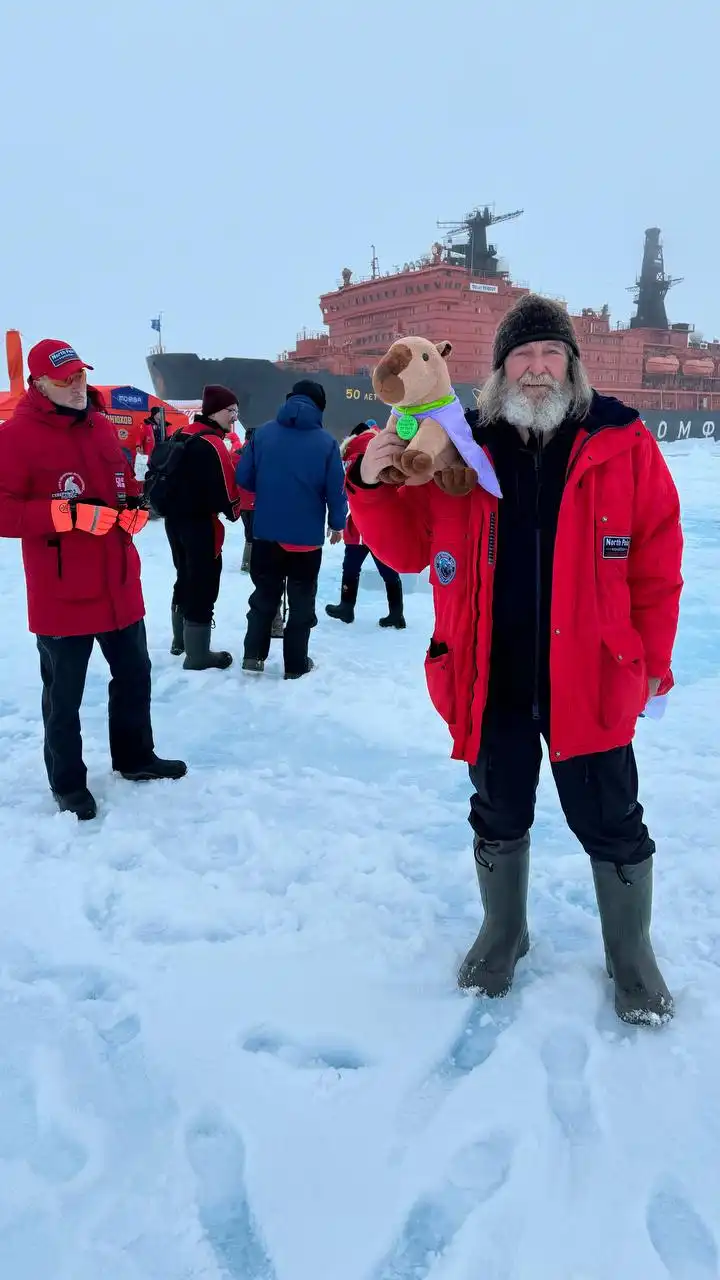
(63, 666)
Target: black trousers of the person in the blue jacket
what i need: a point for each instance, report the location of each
(270, 569)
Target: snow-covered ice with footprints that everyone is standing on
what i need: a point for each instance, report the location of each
(231, 1048)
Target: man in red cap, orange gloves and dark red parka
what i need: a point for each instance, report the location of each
(67, 492)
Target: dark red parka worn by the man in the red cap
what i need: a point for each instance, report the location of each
(78, 584)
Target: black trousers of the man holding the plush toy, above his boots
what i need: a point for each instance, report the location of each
(599, 794)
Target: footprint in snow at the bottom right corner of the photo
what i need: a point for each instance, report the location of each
(682, 1241)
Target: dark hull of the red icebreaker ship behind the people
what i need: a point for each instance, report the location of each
(262, 387)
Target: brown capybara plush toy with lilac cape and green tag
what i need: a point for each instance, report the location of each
(434, 440)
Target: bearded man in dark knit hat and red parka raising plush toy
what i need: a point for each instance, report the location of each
(557, 611)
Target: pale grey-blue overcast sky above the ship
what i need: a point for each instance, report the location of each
(224, 161)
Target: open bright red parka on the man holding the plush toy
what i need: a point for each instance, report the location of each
(616, 588)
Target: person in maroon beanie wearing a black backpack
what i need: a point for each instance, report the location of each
(195, 474)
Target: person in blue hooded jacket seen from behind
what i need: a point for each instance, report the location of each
(294, 468)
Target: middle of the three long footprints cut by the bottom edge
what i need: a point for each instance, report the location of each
(477, 1173)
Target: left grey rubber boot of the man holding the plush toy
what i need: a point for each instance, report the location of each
(503, 868)
